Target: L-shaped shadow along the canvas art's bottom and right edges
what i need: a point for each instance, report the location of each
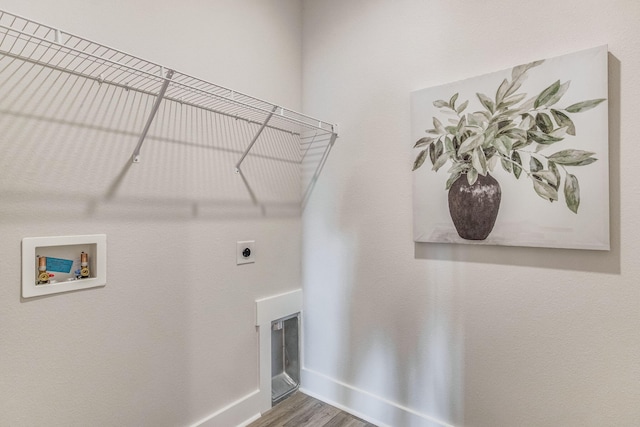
(562, 259)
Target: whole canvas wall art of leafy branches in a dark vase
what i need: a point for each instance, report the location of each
(517, 157)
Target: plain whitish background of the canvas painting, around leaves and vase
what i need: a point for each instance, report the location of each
(525, 219)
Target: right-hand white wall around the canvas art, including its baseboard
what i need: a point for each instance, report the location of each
(407, 333)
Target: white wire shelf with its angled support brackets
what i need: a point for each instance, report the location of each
(38, 45)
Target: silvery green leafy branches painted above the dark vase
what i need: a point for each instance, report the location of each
(508, 129)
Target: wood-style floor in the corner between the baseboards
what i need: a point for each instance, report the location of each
(301, 410)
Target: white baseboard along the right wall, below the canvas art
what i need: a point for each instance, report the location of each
(362, 404)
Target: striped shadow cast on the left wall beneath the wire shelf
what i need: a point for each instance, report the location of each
(67, 144)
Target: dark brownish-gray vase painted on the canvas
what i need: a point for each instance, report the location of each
(474, 208)
